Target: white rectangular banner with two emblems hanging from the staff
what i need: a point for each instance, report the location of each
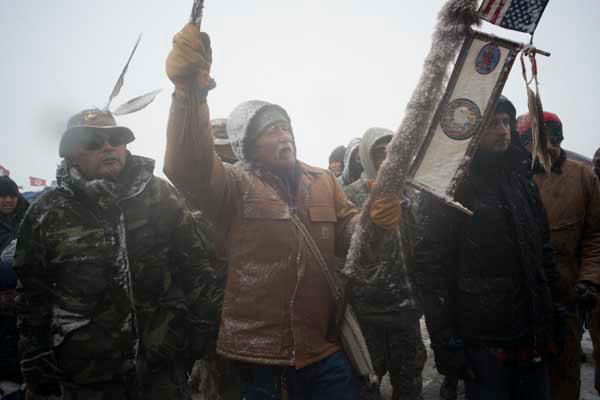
(477, 80)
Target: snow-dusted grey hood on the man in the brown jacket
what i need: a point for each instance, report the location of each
(248, 120)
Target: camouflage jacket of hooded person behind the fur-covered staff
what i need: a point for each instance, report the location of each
(383, 292)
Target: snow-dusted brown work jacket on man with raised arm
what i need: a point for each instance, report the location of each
(278, 307)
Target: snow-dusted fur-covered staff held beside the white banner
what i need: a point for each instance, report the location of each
(454, 22)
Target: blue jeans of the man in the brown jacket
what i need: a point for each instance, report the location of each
(330, 378)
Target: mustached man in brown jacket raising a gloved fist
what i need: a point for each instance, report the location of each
(279, 314)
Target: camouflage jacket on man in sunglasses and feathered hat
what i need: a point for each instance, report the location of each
(114, 274)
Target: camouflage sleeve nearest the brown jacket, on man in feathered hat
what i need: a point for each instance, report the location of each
(201, 277)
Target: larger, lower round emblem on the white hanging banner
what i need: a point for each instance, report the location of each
(461, 119)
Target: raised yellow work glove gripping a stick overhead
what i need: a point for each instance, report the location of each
(189, 61)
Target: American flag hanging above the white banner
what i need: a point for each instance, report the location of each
(518, 15)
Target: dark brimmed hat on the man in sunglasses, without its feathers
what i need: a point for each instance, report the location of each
(87, 121)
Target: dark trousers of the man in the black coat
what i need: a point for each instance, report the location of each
(506, 379)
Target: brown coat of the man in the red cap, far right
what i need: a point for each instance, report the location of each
(571, 194)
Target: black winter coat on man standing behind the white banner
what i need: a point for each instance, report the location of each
(491, 278)
